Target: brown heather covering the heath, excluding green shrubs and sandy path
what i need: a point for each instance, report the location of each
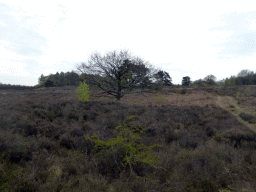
(204, 148)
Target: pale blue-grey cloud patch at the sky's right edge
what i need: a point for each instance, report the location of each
(243, 41)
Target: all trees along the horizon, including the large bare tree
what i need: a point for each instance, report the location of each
(119, 73)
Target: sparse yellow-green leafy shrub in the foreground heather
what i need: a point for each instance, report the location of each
(127, 139)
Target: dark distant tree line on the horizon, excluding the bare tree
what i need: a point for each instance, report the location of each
(159, 78)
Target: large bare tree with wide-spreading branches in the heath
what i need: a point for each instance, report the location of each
(116, 73)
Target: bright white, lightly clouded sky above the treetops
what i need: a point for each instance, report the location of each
(184, 38)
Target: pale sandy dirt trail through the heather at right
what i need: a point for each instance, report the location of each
(230, 104)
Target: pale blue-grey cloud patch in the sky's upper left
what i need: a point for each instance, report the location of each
(23, 40)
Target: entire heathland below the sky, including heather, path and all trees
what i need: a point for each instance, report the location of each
(113, 128)
